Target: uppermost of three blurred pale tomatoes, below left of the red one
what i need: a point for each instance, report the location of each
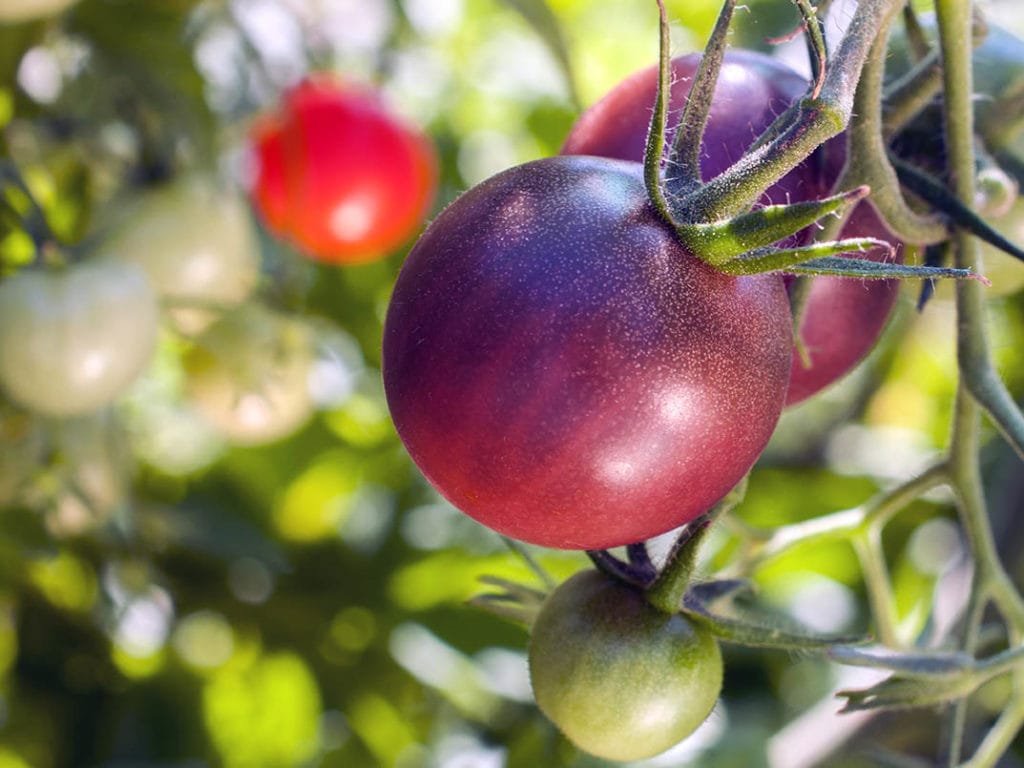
(197, 245)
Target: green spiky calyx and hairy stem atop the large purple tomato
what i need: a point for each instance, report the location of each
(717, 221)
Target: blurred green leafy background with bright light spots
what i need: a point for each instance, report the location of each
(187, 582)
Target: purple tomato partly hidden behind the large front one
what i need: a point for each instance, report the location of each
(843, 318)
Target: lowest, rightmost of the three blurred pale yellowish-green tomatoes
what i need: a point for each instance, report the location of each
(248, 375)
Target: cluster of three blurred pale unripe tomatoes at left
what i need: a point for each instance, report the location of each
(73, 339)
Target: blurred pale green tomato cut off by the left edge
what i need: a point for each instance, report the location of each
(71, 342)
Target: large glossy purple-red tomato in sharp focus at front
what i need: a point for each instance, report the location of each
(566, 373)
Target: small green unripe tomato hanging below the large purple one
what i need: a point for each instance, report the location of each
(620, 678)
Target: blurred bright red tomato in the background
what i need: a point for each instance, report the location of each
(339, 176)
